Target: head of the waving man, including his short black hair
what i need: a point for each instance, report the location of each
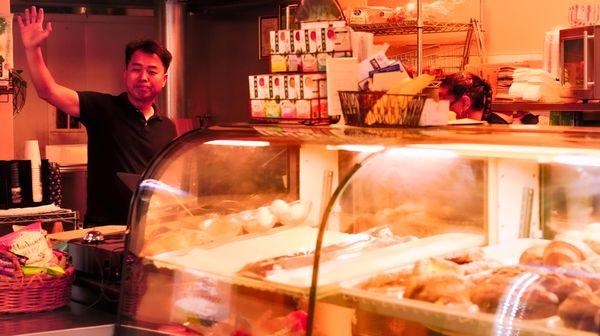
(146, 64)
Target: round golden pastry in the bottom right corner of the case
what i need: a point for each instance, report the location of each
(580, 310)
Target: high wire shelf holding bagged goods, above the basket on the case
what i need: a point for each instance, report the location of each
(411, 27)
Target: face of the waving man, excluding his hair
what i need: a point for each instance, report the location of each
(145, 76)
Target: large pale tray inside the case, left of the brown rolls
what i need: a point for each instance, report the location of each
(224, 262)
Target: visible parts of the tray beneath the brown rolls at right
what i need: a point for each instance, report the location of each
(458, 319)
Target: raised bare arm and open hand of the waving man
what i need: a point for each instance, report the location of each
(33, 34)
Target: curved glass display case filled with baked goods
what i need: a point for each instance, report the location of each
(292, 230)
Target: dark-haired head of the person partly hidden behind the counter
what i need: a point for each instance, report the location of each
(469, 95)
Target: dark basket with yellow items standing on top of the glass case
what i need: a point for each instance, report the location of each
(378, 109)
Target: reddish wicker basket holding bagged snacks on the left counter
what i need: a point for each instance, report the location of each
(36, 293)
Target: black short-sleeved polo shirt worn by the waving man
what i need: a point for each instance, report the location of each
(119, 140)
